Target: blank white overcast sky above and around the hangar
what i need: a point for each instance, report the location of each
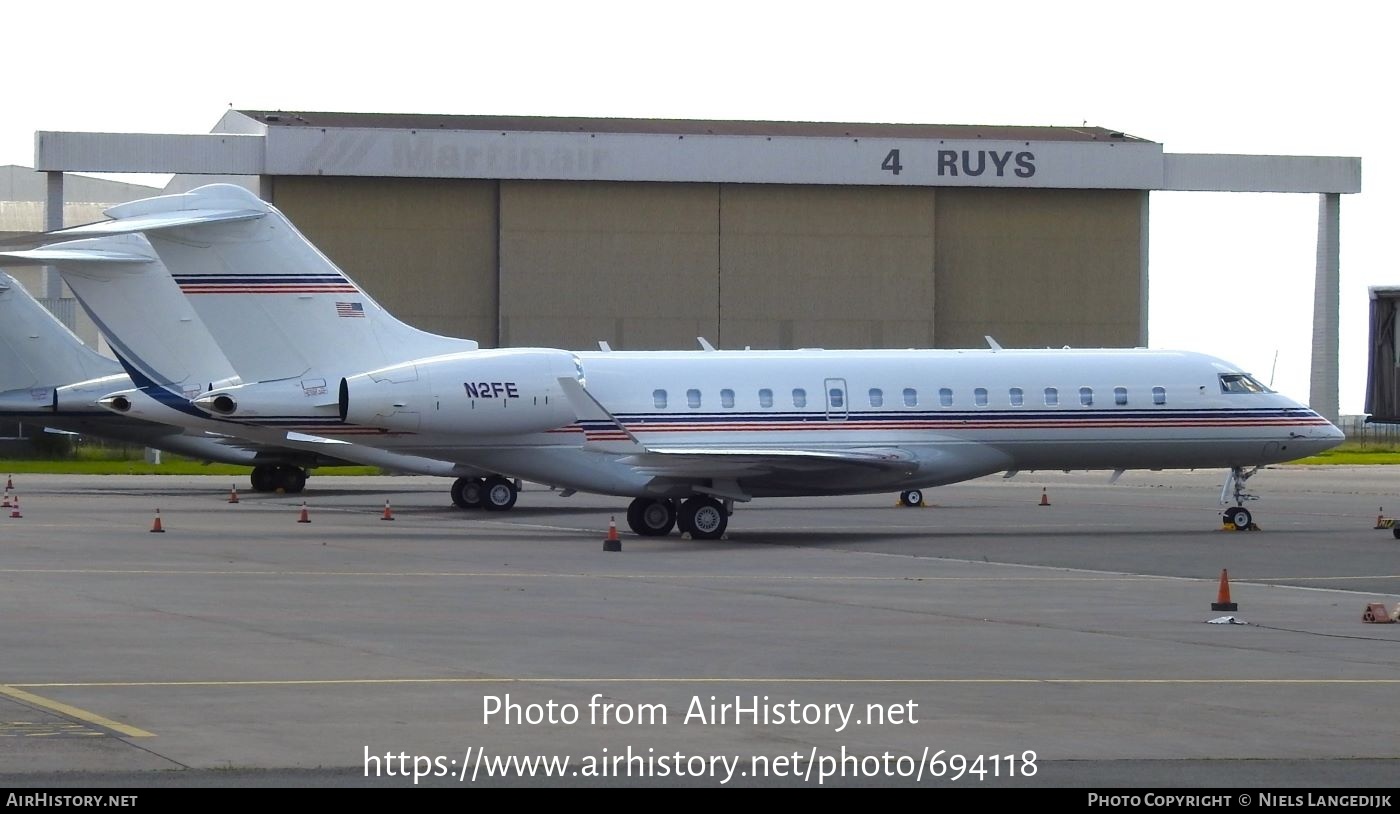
(1231, 275)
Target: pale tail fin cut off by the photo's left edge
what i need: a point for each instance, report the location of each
(37, 351)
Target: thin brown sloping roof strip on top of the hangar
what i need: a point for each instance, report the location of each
(687, 127)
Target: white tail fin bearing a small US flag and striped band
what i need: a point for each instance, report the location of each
(272, 301)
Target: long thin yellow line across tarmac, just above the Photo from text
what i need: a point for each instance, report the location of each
(708, 680)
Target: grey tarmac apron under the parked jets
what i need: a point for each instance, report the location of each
(982, 641)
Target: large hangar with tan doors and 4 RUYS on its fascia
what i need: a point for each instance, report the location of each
(649, 233)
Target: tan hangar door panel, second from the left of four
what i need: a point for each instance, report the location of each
(633, 264)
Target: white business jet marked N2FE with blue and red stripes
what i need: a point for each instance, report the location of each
(689, 434)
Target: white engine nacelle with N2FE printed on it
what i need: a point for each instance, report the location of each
(505, 392)
